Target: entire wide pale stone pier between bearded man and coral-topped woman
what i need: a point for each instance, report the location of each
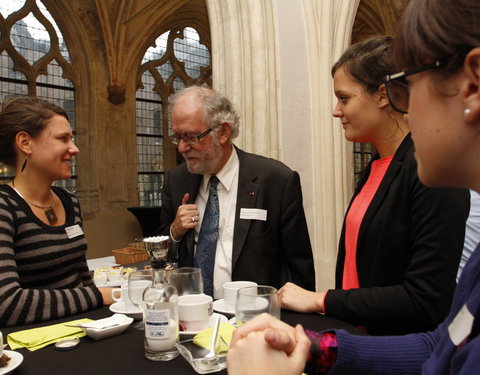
(273, 59)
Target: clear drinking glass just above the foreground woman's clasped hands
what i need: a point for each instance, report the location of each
(255, 300)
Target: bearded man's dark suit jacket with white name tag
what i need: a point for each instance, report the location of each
(268, 252)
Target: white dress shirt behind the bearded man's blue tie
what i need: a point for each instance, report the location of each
(227, 197)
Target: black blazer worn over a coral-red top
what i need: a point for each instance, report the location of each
(408, 251)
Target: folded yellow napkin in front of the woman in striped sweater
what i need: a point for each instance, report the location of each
(37, 338)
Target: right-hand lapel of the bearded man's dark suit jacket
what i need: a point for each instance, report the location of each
(246, 198)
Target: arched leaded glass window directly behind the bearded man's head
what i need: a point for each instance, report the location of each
(178, 59)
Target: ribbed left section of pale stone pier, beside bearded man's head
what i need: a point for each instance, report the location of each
(244, 68)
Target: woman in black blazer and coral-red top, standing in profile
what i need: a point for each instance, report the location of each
(401, 242)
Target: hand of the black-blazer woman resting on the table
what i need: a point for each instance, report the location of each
(294, 298)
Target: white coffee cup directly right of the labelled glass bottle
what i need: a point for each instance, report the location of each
(194, 311)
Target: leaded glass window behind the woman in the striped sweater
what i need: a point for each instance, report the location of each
(31, 65)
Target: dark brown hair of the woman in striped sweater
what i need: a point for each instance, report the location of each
(27, 114)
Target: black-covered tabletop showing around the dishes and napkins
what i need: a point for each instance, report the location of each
(124, 354)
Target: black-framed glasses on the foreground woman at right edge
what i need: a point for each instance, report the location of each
(397, 86)
